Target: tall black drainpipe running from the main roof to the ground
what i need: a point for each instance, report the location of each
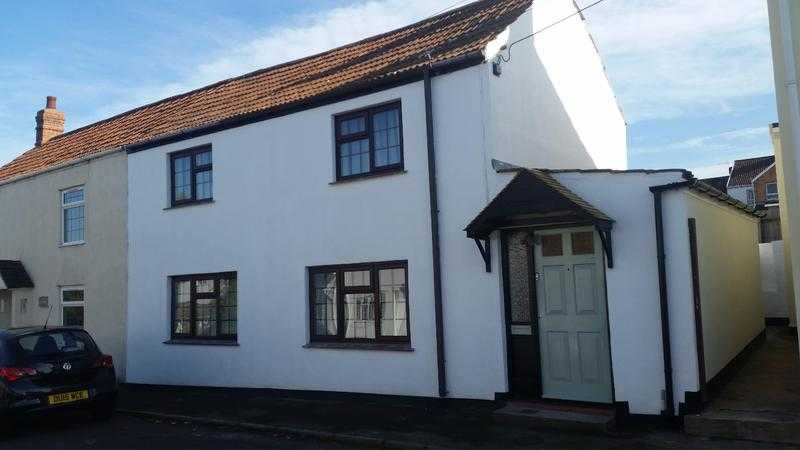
(437, 258)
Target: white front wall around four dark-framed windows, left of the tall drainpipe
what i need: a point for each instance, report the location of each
(275, 213)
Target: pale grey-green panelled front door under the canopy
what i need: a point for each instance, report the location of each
(572, 316)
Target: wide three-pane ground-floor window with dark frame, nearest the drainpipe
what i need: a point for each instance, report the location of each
(359, 303)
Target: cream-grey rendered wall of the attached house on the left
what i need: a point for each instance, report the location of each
(30, 231)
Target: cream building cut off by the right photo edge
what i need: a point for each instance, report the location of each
(784, 24)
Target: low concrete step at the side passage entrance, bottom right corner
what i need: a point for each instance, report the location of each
(764, 426)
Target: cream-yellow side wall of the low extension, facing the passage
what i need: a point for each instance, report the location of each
(730, 279)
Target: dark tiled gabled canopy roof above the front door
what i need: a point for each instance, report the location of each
(534, 197)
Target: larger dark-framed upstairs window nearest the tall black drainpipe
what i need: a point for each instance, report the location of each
(369, 141)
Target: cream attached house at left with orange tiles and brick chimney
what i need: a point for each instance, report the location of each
(63, 244)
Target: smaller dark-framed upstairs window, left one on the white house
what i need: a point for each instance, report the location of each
(191, 176)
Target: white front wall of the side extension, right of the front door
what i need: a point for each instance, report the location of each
(632, 285)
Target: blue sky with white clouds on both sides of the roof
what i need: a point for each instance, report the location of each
(694, 78)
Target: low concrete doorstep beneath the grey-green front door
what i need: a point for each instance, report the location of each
(556, 416)
